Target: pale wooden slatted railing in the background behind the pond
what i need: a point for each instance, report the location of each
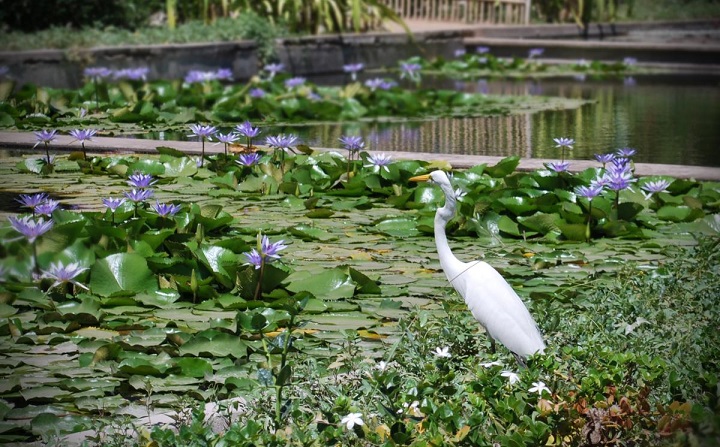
(465, 11)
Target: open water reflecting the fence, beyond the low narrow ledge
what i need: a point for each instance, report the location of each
(668, 119)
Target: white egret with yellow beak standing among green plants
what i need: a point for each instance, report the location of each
(492, 301)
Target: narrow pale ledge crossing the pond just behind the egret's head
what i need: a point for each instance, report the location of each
(26, 140)
